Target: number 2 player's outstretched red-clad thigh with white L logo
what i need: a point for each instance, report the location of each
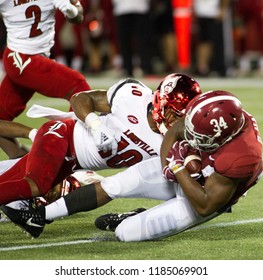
(44, 75)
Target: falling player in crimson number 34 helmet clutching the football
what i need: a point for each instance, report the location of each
(228, 141)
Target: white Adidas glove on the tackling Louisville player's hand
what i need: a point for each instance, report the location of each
(103, 136)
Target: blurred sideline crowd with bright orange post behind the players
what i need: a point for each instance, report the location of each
(141, 38)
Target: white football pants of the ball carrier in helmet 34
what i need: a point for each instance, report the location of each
(145, 180)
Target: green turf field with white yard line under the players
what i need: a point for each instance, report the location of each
(235, 236)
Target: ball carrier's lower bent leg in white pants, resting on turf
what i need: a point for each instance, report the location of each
(166, 219)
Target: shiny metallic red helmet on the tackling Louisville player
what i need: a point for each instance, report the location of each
(174, 92)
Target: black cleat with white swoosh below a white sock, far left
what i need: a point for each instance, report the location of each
(31, 220)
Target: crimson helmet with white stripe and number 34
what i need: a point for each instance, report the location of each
(212, 119)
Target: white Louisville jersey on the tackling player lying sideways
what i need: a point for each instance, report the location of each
(129, 100)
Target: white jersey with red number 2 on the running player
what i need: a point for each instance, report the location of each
(31, 24)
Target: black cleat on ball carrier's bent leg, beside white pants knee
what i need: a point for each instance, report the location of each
(110, 221)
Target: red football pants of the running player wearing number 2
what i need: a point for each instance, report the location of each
(27, 74)
